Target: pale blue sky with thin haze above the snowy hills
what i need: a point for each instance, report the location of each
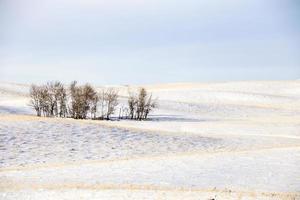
(150, 41)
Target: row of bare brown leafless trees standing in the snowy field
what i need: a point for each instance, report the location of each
(54, 99)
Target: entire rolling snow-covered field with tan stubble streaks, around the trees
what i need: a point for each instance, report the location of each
(231, 140)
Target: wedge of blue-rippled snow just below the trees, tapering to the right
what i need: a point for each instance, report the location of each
(66, 140)
